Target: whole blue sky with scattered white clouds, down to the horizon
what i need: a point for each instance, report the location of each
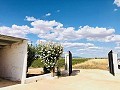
(87, 28)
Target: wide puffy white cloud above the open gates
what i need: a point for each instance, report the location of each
(95, 34)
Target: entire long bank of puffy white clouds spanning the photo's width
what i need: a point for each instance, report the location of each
(53, 30)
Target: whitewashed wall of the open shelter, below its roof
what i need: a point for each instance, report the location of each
(13, 61)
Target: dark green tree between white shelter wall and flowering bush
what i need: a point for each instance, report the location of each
(31, 55)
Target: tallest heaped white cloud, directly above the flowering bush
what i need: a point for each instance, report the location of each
(42, 27)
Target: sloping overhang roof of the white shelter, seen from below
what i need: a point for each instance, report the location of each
(8, 40)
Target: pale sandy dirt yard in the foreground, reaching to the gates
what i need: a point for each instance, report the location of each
(83, 79)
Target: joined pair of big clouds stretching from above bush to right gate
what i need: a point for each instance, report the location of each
(52, 30)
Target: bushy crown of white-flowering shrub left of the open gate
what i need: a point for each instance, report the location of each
(50, 53)
